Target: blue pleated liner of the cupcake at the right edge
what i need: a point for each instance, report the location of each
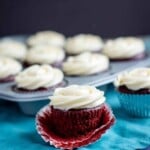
(135, 104)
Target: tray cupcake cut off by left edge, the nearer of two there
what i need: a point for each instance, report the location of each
(9, 68)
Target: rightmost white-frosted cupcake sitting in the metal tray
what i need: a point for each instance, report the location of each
(124, 48)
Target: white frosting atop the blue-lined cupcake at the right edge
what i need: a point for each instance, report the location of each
(134, 80)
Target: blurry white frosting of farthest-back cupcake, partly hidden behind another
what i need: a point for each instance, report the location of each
(46, 38)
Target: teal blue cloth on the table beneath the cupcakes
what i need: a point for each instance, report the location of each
(17, 131)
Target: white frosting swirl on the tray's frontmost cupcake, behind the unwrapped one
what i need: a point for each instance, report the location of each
(37, 76)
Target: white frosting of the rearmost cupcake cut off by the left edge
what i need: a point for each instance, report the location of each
(13, 49)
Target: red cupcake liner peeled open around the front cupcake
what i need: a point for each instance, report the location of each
(44, 128)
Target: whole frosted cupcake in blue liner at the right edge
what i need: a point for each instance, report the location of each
(133, 90)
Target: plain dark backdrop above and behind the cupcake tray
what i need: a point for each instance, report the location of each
(108, 18)
